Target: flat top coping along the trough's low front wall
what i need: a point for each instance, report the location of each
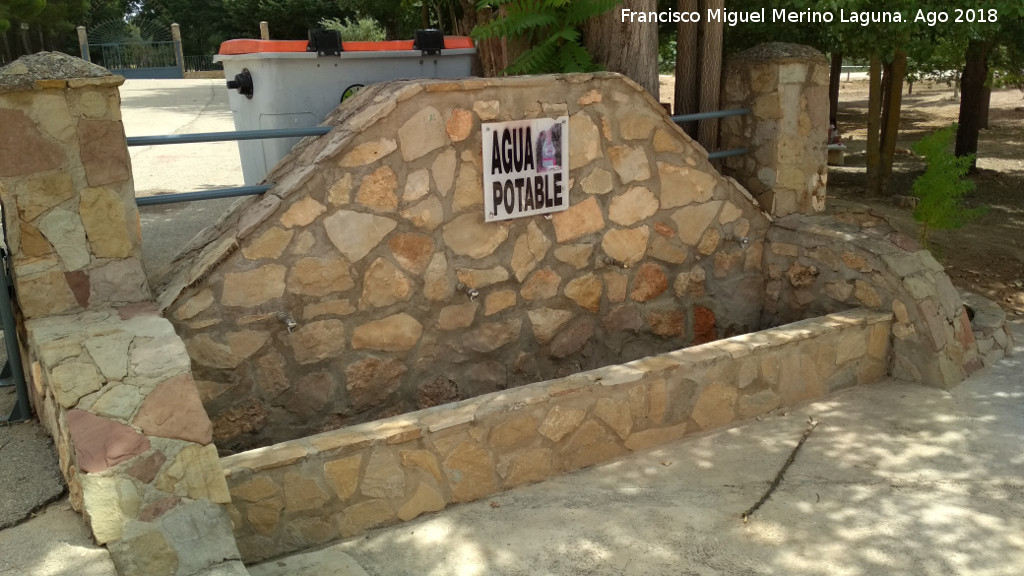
(416, 425)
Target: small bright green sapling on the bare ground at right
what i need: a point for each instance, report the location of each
(942, 189)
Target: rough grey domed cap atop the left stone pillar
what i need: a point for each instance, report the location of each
(54, 70)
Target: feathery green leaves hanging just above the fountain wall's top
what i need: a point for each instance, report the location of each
(552, 29)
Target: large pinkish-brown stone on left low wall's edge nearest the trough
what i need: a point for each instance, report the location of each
(174, 409)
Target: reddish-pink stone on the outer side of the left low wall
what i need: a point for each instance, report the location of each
(101, 444)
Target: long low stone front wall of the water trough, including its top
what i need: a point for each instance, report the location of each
(336, 485)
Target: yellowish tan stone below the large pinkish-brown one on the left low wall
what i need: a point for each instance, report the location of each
(196, 474)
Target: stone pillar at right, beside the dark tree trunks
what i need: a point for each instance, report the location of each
(786, 87)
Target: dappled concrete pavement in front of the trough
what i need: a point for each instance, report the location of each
(897, 479)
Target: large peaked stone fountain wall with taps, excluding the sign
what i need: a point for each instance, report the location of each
(374, 234)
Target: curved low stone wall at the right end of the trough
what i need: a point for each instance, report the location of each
(825, 263)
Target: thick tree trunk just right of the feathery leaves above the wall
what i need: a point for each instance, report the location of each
(629, 49)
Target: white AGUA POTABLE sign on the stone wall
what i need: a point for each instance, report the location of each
(526, 169)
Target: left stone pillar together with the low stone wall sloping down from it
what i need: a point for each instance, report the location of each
(109, 377)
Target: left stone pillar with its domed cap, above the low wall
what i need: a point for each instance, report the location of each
(70, 214)
